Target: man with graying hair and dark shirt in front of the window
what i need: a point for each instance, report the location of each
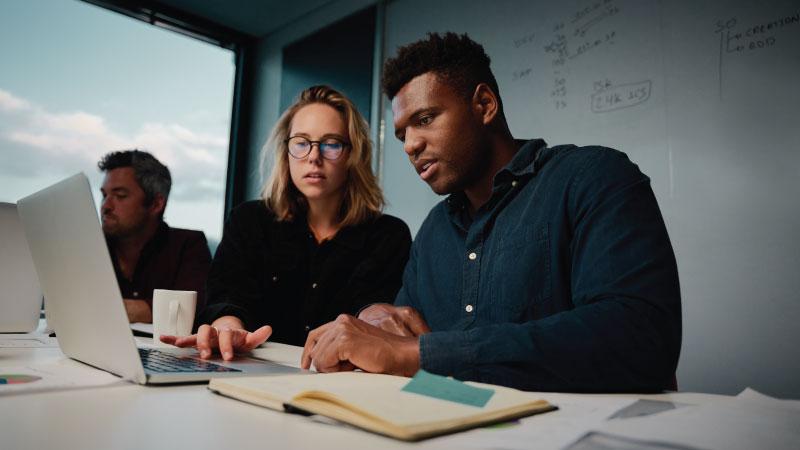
(147, 254)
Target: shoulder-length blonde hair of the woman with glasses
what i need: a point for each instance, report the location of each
(362, 198)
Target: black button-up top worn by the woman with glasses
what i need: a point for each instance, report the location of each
(268, 272)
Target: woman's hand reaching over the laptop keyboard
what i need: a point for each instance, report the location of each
(226, 334)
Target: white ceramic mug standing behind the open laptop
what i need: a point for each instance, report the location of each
(173, 313)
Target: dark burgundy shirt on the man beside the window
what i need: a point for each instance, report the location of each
(173, 259)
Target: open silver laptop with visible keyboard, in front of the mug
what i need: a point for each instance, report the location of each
(70, 254)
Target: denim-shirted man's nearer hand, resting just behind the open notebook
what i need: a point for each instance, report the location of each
(349, 343)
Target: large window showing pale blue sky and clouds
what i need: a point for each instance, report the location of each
(79, 81)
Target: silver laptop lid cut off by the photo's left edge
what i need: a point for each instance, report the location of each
(20, 296)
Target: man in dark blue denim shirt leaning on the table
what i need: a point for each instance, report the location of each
(545, 269)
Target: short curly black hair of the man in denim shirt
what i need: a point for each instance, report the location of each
(456, 59)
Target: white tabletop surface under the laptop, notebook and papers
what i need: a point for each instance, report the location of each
(130, 416)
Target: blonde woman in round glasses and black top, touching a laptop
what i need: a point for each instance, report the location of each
(314, 246)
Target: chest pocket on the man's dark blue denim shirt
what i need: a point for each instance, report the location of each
(521, 273)
